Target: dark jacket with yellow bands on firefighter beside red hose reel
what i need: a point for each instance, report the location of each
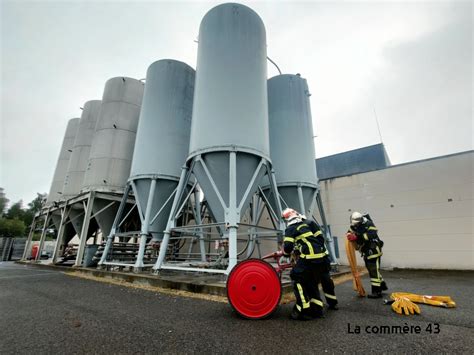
(306, 240)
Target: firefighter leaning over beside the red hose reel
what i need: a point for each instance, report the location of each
(312, 262)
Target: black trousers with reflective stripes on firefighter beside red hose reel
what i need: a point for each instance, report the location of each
(305, 276)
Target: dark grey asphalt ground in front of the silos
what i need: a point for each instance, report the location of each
(48, 312)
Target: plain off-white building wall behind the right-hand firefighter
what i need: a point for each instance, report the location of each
(423, 211)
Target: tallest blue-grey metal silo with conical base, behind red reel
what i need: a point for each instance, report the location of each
(229, 143)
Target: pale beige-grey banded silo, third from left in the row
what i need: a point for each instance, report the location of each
(111, 150)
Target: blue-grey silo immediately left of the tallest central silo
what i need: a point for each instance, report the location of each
(161, 146)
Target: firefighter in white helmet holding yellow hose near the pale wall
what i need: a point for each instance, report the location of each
(363, 231)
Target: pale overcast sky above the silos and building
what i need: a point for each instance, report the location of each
(407, 63)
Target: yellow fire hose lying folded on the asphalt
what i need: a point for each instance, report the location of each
(404, 302)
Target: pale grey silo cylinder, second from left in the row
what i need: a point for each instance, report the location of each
(81, 149)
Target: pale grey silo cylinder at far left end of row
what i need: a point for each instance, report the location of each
(56, 190)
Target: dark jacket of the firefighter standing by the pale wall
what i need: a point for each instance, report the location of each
(368, 241)
